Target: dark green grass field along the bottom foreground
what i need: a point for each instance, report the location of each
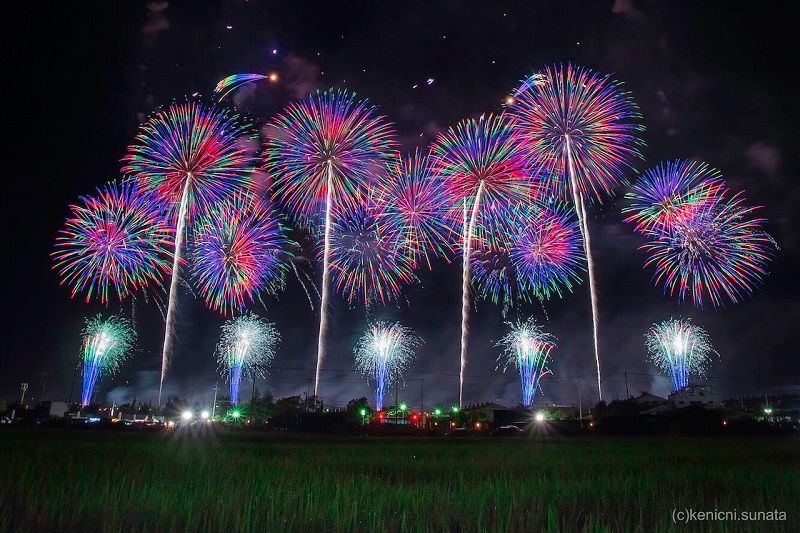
(70, 480)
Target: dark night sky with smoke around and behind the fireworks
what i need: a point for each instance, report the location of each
(714, 82)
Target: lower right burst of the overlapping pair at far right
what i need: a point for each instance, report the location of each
(715, 251)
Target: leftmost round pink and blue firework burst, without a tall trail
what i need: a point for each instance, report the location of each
(116, 241)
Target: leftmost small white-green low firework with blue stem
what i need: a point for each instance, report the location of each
(106, 342)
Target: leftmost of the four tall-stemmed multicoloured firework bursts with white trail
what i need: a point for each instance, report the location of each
(190, 156)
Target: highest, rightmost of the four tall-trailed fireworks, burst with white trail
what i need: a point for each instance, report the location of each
(581, 130)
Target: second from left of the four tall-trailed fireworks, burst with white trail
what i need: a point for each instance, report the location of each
(322, 152)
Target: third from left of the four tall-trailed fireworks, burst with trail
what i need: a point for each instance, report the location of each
(480, 163)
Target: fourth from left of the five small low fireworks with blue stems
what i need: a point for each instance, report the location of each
(527, 347)
